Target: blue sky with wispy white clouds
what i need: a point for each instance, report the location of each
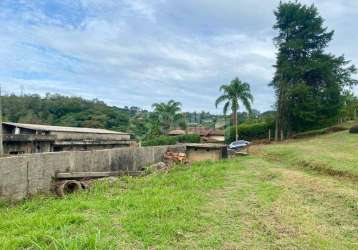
(138, 52)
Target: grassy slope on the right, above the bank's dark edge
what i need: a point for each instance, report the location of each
(335, 154)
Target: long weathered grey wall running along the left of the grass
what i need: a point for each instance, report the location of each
(27, 175)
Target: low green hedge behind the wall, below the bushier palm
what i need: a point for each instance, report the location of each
(171, 140)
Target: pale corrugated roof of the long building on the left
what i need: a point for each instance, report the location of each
(63, 129)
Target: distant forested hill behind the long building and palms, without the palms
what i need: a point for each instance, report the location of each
(59, 110)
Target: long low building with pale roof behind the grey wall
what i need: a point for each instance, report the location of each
(21, 138)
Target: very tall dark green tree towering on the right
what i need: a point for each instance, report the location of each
(308, 82)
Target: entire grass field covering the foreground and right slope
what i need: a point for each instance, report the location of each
(300, 195)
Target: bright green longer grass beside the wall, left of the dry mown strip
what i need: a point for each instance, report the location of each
(141, 212)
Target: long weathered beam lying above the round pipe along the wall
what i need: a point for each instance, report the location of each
(80, 175)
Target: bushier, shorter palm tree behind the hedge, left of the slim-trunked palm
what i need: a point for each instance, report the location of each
(168, 114)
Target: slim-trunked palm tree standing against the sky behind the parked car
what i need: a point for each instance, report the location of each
(234, 93)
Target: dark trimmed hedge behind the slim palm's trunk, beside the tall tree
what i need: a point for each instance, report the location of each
(255, 131)
